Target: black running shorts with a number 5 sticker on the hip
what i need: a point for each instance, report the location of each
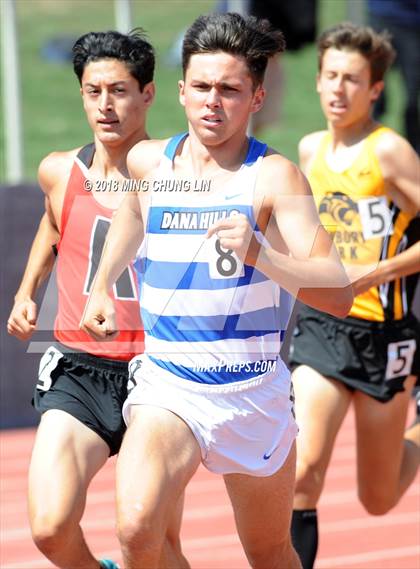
(372, 357)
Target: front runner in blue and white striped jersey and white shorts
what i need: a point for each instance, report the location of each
(212, 387)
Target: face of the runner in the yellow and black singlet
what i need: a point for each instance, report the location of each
(344, 87)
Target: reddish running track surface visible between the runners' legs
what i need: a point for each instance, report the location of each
(349, 537)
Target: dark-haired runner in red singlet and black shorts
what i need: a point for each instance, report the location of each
(82, 383)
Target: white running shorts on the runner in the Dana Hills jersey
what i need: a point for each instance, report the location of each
(245, 427)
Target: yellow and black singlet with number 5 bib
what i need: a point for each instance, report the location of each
(367, 226)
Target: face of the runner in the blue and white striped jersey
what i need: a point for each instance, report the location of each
(218, 96)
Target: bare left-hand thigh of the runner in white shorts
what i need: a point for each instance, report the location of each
(158, 456)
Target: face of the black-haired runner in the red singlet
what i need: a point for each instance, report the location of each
(114, 105)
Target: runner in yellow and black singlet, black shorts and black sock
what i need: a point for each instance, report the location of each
(365, 181)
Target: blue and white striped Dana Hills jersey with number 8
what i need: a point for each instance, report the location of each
(207, 317)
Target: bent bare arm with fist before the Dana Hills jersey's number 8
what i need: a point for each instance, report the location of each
(313, 267)
